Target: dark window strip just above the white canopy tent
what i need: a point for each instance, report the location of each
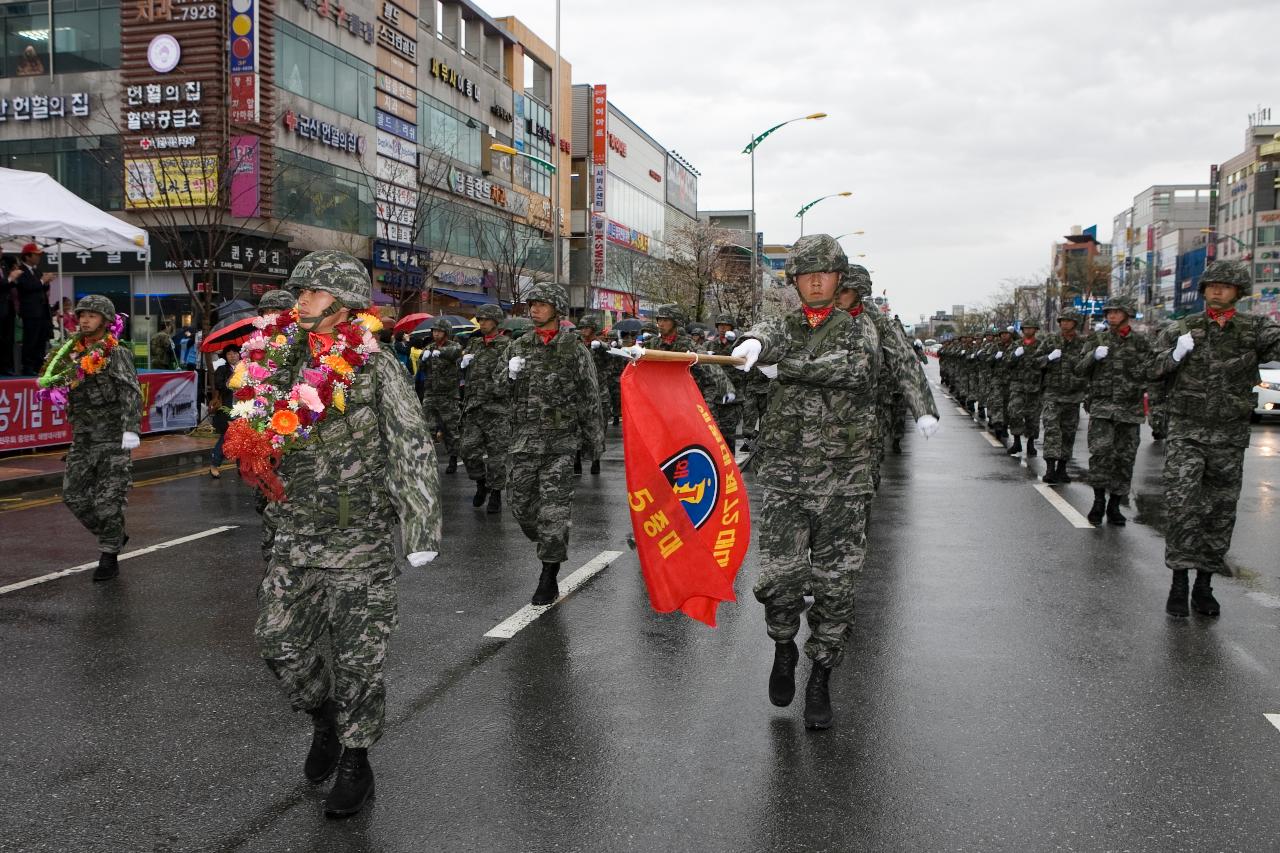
(90, 166)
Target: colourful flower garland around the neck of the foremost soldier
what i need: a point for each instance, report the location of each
(269, 421)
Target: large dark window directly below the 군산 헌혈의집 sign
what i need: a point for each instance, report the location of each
(319, 194)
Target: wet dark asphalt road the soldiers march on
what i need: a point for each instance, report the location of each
(1013, 685)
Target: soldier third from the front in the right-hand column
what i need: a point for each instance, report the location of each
(1064, 390)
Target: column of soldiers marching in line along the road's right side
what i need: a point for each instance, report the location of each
(1192, 382)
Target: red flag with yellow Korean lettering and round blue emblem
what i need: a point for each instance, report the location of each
(689, 507)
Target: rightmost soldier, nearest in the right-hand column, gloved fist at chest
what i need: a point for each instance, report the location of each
(1212, 364)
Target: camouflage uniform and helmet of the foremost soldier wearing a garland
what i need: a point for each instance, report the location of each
(328, 606)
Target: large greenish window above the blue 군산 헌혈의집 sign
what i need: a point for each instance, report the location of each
(319, 72)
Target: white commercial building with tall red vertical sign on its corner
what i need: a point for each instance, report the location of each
(630, 200)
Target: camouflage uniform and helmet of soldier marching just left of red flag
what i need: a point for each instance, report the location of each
(556, 413)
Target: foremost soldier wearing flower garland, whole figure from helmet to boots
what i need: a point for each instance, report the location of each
(328, 603)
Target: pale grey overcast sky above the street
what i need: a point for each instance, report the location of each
(973, 135)
